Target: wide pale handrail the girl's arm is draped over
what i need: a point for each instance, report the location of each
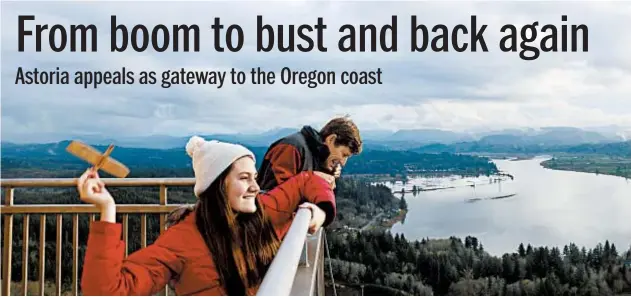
(280, 276)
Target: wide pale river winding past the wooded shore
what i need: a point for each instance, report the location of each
(550, 207)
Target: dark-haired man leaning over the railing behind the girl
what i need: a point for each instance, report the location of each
(326, 150)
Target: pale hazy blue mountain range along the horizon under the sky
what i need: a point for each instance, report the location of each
(381, 139)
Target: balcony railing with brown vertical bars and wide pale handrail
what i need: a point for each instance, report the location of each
(297, 269)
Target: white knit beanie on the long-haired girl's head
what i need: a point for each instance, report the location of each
(211, 158)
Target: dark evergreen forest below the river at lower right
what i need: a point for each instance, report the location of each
(392, 265)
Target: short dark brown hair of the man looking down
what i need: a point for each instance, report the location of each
(346, 131)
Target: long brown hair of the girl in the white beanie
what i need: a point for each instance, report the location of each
(242, 246)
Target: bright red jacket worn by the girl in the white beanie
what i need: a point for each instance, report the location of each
(180, 252)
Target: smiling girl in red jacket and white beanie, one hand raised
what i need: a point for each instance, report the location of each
(223, 247)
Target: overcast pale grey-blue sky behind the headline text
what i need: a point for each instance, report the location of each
(452, 91)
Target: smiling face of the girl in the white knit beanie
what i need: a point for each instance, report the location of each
(241, 186)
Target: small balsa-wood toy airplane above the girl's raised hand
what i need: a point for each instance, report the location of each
(99, 160)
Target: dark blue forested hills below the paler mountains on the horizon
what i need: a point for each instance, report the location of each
(39, 160)
